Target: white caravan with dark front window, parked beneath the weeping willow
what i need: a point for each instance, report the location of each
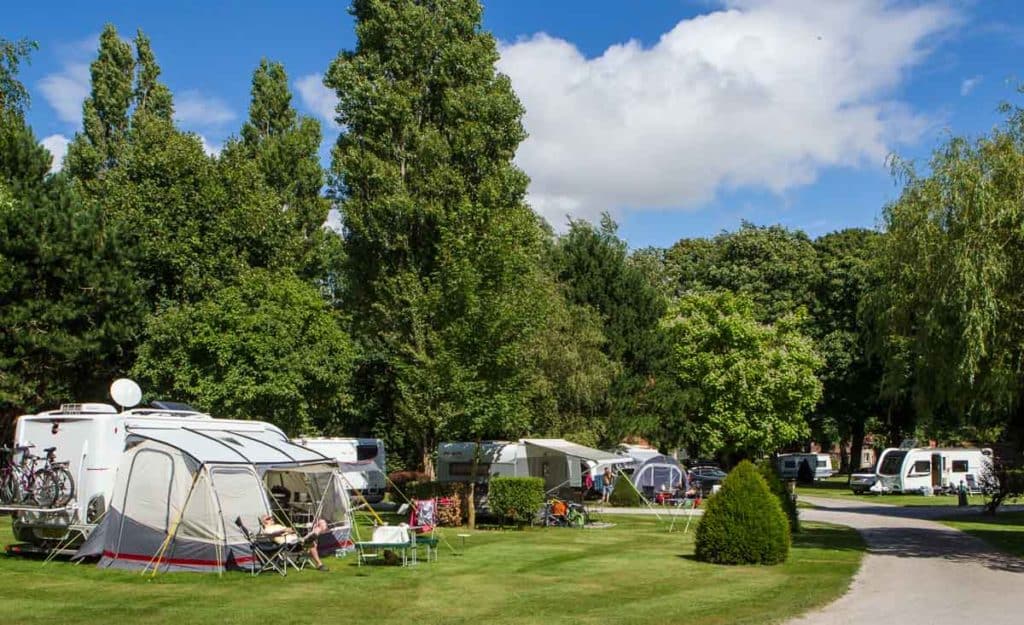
(928, 470)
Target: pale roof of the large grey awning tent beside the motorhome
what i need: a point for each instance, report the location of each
(226, 447)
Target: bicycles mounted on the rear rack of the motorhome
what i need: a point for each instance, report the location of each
(23, 483)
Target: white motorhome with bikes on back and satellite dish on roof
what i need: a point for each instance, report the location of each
(92, 439)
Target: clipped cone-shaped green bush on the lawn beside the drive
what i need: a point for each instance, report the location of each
(744, 523)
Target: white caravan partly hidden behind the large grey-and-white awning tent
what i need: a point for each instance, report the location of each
(365, 465)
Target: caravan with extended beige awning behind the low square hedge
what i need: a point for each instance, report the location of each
(562, 464)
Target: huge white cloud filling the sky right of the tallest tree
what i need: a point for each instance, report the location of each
(763, 94)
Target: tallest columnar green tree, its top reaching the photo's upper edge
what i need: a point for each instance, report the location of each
(444, 272)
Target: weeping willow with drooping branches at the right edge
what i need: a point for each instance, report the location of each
(950, 304)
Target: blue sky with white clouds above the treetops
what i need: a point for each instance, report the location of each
(681, 118)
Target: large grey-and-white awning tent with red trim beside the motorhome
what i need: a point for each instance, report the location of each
(180, 491)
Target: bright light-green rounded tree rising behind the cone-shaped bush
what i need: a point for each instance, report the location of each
(749, 386)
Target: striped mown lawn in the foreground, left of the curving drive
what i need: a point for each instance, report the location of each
(633, 573)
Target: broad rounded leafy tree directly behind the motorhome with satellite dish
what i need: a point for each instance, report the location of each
(267, 348)
